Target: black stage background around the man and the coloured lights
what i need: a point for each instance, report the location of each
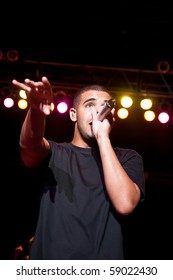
(128, 36)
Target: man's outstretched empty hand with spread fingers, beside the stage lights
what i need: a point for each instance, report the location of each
(39, 94)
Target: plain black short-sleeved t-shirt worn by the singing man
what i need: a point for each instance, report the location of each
(76, 219)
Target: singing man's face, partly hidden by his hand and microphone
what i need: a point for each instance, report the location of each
(94, 99)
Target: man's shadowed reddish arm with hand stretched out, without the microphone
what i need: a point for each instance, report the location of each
(34, 147)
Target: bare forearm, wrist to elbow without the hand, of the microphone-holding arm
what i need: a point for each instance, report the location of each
(123, 192)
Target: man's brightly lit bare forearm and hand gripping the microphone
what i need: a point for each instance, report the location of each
(123, 192)
